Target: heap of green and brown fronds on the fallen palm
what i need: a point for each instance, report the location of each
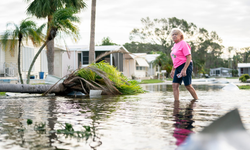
(99, 76)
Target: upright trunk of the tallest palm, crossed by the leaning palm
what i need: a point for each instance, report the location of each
(50, 49)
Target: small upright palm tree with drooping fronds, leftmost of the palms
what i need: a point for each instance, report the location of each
(26, 30)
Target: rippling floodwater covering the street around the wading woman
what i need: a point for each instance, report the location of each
(149, 121)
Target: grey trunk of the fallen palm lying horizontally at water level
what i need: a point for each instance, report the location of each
(26, 88)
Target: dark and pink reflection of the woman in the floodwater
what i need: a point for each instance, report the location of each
(183, 121)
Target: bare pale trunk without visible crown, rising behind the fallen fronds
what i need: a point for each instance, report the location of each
(92, 34)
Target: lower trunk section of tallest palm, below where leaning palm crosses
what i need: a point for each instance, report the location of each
(50, 57)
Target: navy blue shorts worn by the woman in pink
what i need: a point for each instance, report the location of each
(187, 79)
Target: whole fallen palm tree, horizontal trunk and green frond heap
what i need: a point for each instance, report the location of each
(97, 76)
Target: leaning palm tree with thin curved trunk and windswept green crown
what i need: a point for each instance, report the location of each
(62, 21)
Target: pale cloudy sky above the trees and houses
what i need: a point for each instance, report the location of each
(116, 18)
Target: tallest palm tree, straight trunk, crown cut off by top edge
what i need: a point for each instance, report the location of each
(46, 9)
